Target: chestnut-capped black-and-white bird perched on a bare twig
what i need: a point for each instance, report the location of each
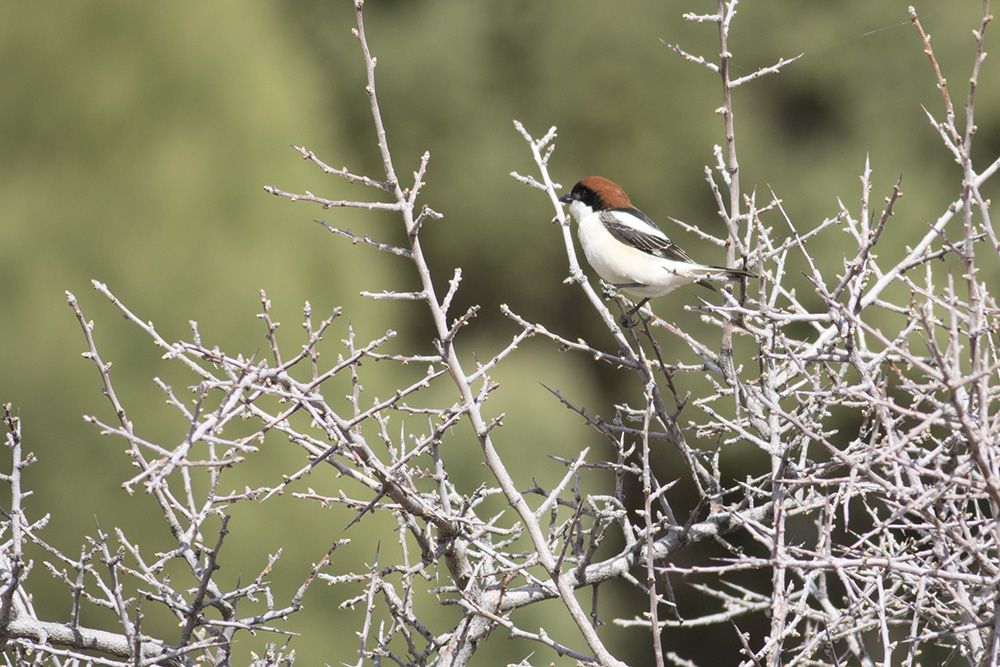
(628, 250)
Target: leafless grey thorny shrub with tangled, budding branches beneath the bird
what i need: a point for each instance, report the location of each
(900, 553)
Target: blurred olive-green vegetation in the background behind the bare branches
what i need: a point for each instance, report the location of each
(135, 139)
